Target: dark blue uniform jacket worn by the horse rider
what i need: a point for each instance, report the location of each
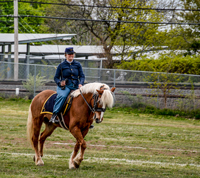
(72, 71)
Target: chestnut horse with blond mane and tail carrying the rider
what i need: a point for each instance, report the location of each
(89, 103)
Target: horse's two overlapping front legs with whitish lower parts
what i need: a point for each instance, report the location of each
(75, 159)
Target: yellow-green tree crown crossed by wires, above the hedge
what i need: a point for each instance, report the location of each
(135, 38)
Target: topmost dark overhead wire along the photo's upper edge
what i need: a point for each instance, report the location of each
(133, 8)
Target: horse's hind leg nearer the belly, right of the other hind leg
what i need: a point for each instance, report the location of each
(46, 133)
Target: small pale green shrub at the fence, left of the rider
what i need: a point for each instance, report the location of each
(32, 81)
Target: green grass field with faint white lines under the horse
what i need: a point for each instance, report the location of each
(125, 144)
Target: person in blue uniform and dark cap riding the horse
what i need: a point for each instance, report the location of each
(69, 76)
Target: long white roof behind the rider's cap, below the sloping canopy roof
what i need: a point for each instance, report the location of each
(57, 51)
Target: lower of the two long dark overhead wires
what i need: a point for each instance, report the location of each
(76, 19)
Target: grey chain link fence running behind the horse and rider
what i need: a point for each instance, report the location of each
(163, 89)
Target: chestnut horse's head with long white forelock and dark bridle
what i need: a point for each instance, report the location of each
(102, 99)
